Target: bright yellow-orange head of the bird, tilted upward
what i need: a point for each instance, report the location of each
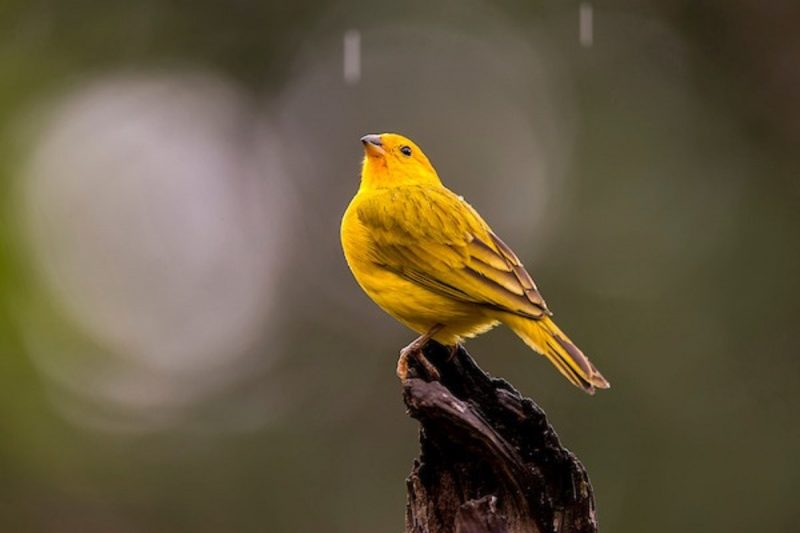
(391, 160)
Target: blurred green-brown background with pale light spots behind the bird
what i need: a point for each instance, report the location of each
(184, 349)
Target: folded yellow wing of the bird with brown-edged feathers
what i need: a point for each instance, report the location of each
(434, 238)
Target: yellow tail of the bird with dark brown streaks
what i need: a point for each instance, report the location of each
(545, 337)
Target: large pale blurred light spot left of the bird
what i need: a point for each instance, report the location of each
(156, 227)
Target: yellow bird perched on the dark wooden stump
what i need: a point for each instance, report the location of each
(428, 259)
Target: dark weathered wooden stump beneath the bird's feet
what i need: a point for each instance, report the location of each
(489, 461)
